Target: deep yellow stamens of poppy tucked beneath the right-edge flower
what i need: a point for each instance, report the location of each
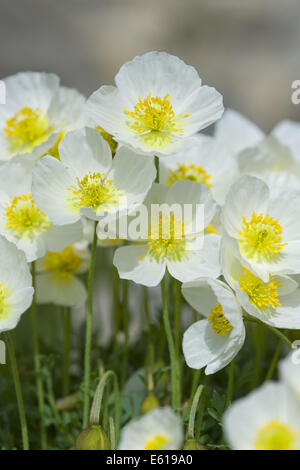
(262, 295)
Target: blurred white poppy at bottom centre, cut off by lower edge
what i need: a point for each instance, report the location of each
(160, 429)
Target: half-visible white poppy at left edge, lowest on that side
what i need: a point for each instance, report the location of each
(15, 285)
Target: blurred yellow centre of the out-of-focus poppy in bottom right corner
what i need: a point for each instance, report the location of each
(276, 436)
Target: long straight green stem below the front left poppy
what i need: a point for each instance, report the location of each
(88, 340)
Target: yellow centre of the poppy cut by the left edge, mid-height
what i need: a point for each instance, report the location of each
(24, 218)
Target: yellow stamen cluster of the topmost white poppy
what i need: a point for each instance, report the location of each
(154, 114)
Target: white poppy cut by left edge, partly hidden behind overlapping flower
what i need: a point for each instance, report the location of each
(21, 220)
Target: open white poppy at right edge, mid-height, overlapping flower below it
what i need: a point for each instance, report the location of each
(266, 226)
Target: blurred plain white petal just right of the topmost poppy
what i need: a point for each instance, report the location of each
(236, 133)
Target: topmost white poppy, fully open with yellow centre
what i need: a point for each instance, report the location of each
(159, 101)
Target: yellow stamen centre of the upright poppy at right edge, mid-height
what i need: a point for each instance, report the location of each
(261, 237)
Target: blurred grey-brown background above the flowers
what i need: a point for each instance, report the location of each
(248, 50)
